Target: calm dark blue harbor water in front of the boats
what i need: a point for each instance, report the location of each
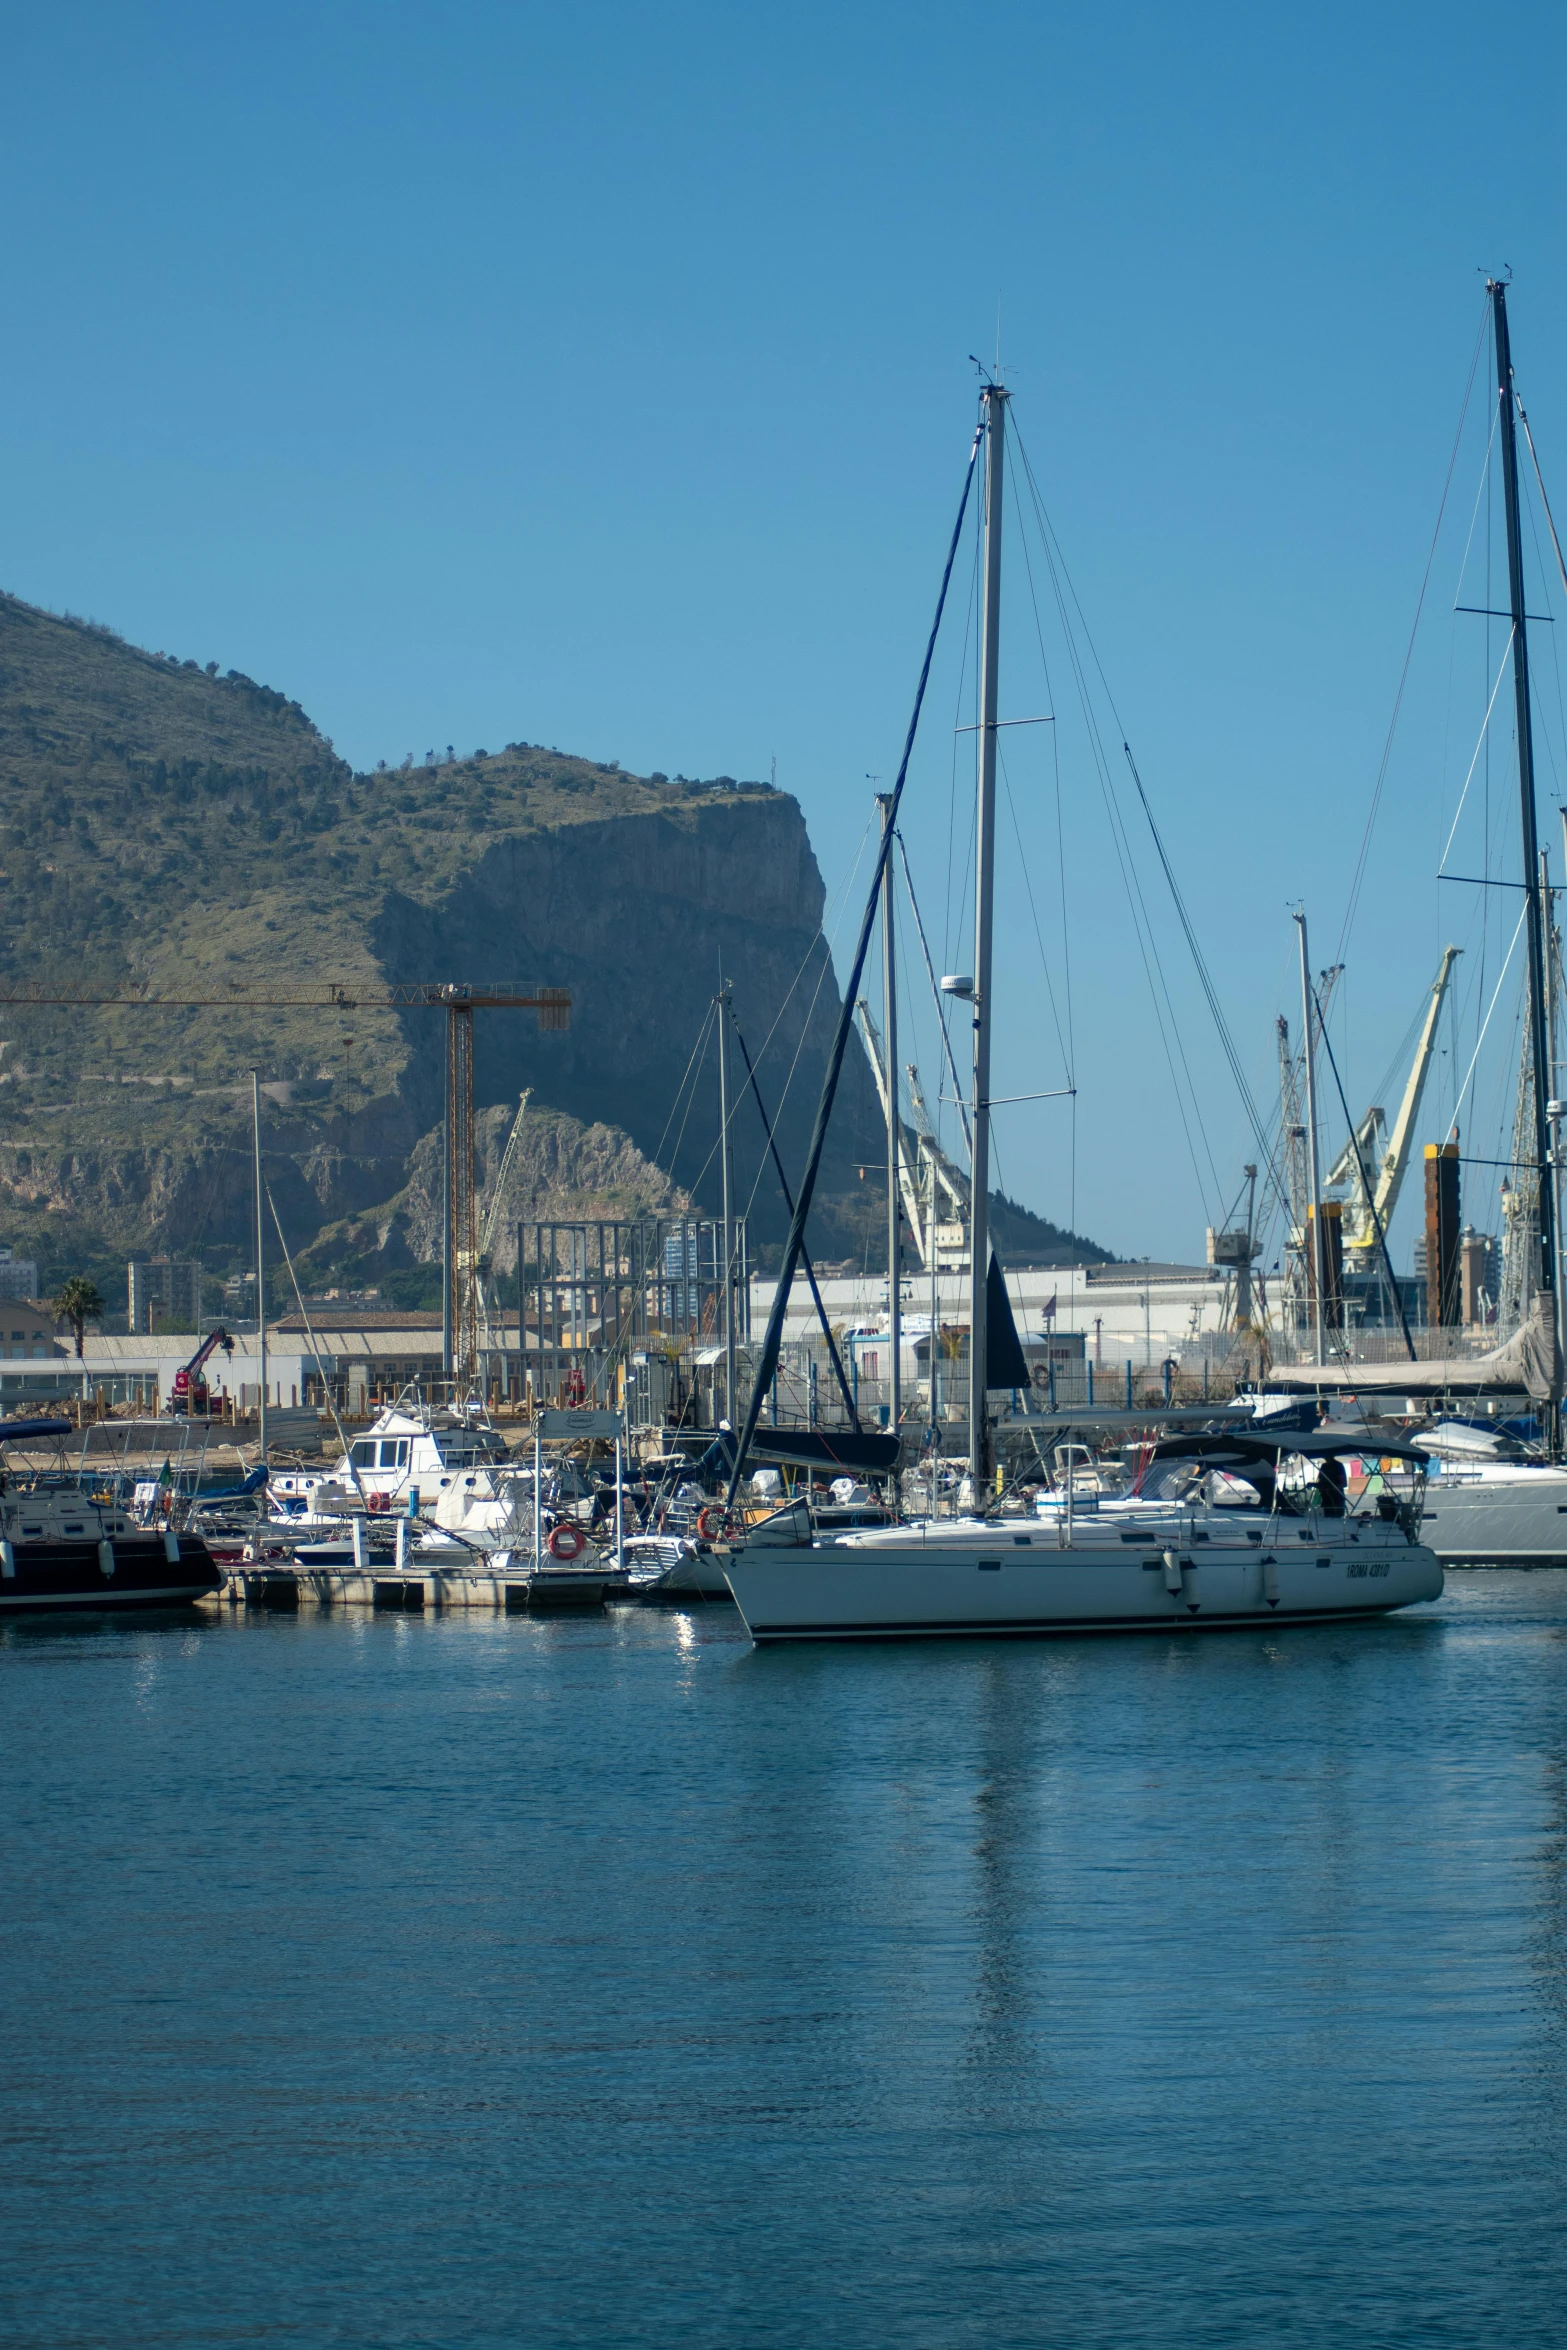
(375, 1980)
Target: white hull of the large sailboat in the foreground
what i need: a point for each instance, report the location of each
(1016, 1585)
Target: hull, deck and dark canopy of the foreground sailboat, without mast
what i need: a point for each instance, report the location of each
(1176, 1557)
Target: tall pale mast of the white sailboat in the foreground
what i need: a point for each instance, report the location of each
(986, 892)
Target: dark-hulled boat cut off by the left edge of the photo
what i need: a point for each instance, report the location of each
(65, 1547)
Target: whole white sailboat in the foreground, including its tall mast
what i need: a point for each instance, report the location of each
(1141, 1564)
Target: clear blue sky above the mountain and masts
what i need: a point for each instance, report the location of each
(603, 380)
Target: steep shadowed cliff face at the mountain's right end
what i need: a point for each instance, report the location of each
(643, 918)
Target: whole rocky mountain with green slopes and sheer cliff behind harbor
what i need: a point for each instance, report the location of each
(170, 831)
